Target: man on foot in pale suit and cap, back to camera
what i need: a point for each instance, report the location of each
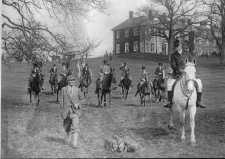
(70, 105)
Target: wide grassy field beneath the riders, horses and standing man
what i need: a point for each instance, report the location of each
(29, 131)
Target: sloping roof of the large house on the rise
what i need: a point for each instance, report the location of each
(132, 22)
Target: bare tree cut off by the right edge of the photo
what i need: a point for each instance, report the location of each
(216, 20)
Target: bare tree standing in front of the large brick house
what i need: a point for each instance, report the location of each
(174, 12)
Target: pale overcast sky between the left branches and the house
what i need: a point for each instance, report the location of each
(99, 25)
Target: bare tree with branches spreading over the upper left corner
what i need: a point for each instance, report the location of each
(29, 30)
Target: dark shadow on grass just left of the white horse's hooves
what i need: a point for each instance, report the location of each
(150, 133)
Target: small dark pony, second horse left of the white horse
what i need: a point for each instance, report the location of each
(144, 90)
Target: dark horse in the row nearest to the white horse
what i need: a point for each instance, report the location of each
(159, 88)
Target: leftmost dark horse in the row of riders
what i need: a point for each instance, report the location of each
(35, 85)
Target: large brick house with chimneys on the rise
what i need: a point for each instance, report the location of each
(135, 35)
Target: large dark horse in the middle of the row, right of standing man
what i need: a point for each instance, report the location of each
(104, 87)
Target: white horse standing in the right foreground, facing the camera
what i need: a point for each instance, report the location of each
(184, 100)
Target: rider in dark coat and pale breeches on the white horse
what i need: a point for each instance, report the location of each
(177, 65)
